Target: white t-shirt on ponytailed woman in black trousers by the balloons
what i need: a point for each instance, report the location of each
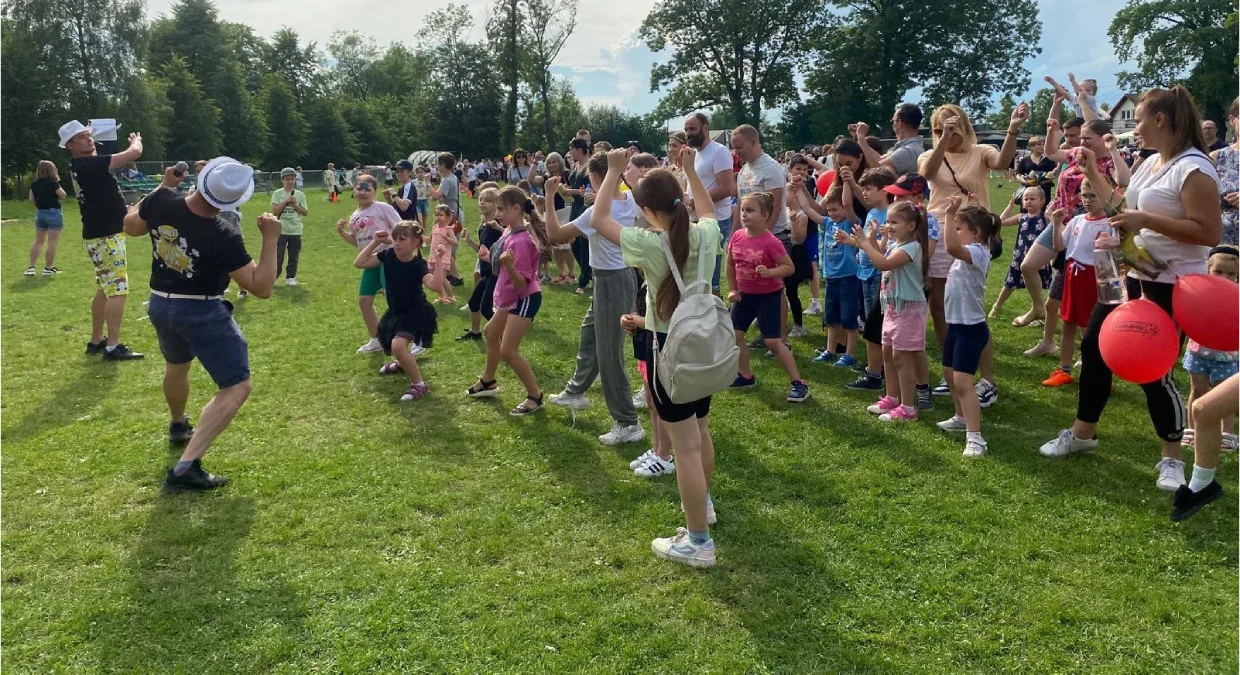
(1158, 192)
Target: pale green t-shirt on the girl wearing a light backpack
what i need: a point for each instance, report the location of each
(642, 250)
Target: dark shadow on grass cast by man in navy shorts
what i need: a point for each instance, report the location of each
(187, 610)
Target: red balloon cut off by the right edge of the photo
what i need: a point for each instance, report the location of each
(1208, 311)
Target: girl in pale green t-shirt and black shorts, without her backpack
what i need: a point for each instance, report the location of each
(662, 200)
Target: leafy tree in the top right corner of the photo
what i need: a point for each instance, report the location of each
(1181, 42)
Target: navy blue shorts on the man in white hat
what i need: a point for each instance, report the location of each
(204, 331)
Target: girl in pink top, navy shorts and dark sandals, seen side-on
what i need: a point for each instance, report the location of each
(518, 298)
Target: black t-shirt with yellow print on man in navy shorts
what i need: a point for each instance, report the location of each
(193, 255)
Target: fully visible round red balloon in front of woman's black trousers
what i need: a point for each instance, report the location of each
(1139, 342)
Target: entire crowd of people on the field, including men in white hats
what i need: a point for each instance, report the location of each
(896, 245)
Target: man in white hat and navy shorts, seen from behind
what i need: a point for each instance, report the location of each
(197, 253)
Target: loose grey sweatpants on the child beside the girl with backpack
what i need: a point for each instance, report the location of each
(603, 343)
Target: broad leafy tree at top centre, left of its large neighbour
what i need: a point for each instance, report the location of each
(736, 54)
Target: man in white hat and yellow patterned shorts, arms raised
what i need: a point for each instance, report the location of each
(104, 214)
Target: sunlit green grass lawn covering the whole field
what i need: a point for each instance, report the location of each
(366, 535)
